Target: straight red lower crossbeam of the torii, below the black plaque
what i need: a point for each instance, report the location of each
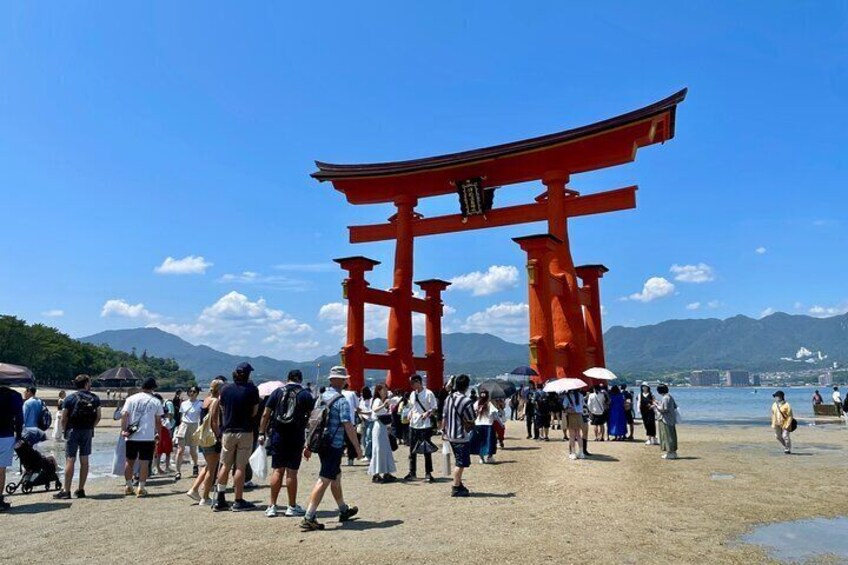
(609, 201)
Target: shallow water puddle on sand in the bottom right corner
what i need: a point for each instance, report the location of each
(803, 540)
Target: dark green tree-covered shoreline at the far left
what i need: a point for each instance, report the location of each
(55, 357)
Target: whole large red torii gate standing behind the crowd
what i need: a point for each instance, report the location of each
(566, 333)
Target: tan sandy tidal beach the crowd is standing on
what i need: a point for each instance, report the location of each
(534, 506)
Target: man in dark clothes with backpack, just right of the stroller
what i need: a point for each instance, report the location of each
(80, 415)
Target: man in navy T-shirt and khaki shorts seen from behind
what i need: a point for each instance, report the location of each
(237, 408)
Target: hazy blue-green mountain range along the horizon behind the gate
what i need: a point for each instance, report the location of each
(767, 344)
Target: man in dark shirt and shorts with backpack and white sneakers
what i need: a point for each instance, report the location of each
(284, 421)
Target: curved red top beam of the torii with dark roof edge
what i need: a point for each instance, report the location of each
(607, 143)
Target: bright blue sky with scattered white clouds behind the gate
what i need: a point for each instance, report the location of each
(189, 131)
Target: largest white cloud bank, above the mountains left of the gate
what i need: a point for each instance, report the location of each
(241, 326)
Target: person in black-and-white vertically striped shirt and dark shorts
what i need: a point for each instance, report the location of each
(457, 422)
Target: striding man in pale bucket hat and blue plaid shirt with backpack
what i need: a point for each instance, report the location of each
(329, 423)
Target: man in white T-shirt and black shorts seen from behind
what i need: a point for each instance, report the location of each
(140, 422)
